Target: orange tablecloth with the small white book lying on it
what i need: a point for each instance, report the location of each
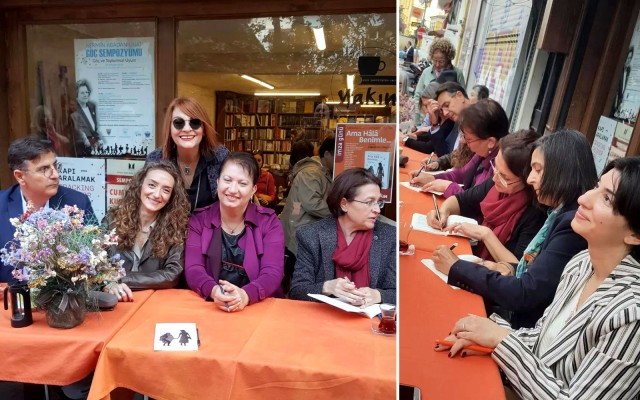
(276, 349)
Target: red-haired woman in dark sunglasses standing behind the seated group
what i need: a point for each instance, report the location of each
(190, 143)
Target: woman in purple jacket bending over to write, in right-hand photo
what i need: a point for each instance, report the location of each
(481, 127)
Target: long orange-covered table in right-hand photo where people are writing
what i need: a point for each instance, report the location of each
(428, 310)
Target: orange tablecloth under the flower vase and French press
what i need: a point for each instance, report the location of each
(44, 355)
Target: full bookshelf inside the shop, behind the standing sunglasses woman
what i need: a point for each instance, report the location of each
(249, 123)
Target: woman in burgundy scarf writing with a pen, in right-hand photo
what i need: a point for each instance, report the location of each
(503, 206)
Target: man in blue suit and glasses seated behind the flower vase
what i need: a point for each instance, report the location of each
(35, 168)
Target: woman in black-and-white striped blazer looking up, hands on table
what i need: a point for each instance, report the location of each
(587, 343)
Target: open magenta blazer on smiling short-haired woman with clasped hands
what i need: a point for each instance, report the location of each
(263, 244)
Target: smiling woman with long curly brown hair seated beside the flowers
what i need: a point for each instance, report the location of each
(151, 223)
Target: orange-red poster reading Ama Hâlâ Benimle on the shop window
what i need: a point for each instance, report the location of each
(368, 146)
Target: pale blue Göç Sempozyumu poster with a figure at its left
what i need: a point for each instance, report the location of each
(114, 111)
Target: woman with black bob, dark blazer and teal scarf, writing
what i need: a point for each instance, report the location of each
(562, 169)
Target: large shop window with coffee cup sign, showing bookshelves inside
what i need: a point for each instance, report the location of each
(269, 81)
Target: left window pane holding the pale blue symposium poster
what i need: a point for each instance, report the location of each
(85, 85)
